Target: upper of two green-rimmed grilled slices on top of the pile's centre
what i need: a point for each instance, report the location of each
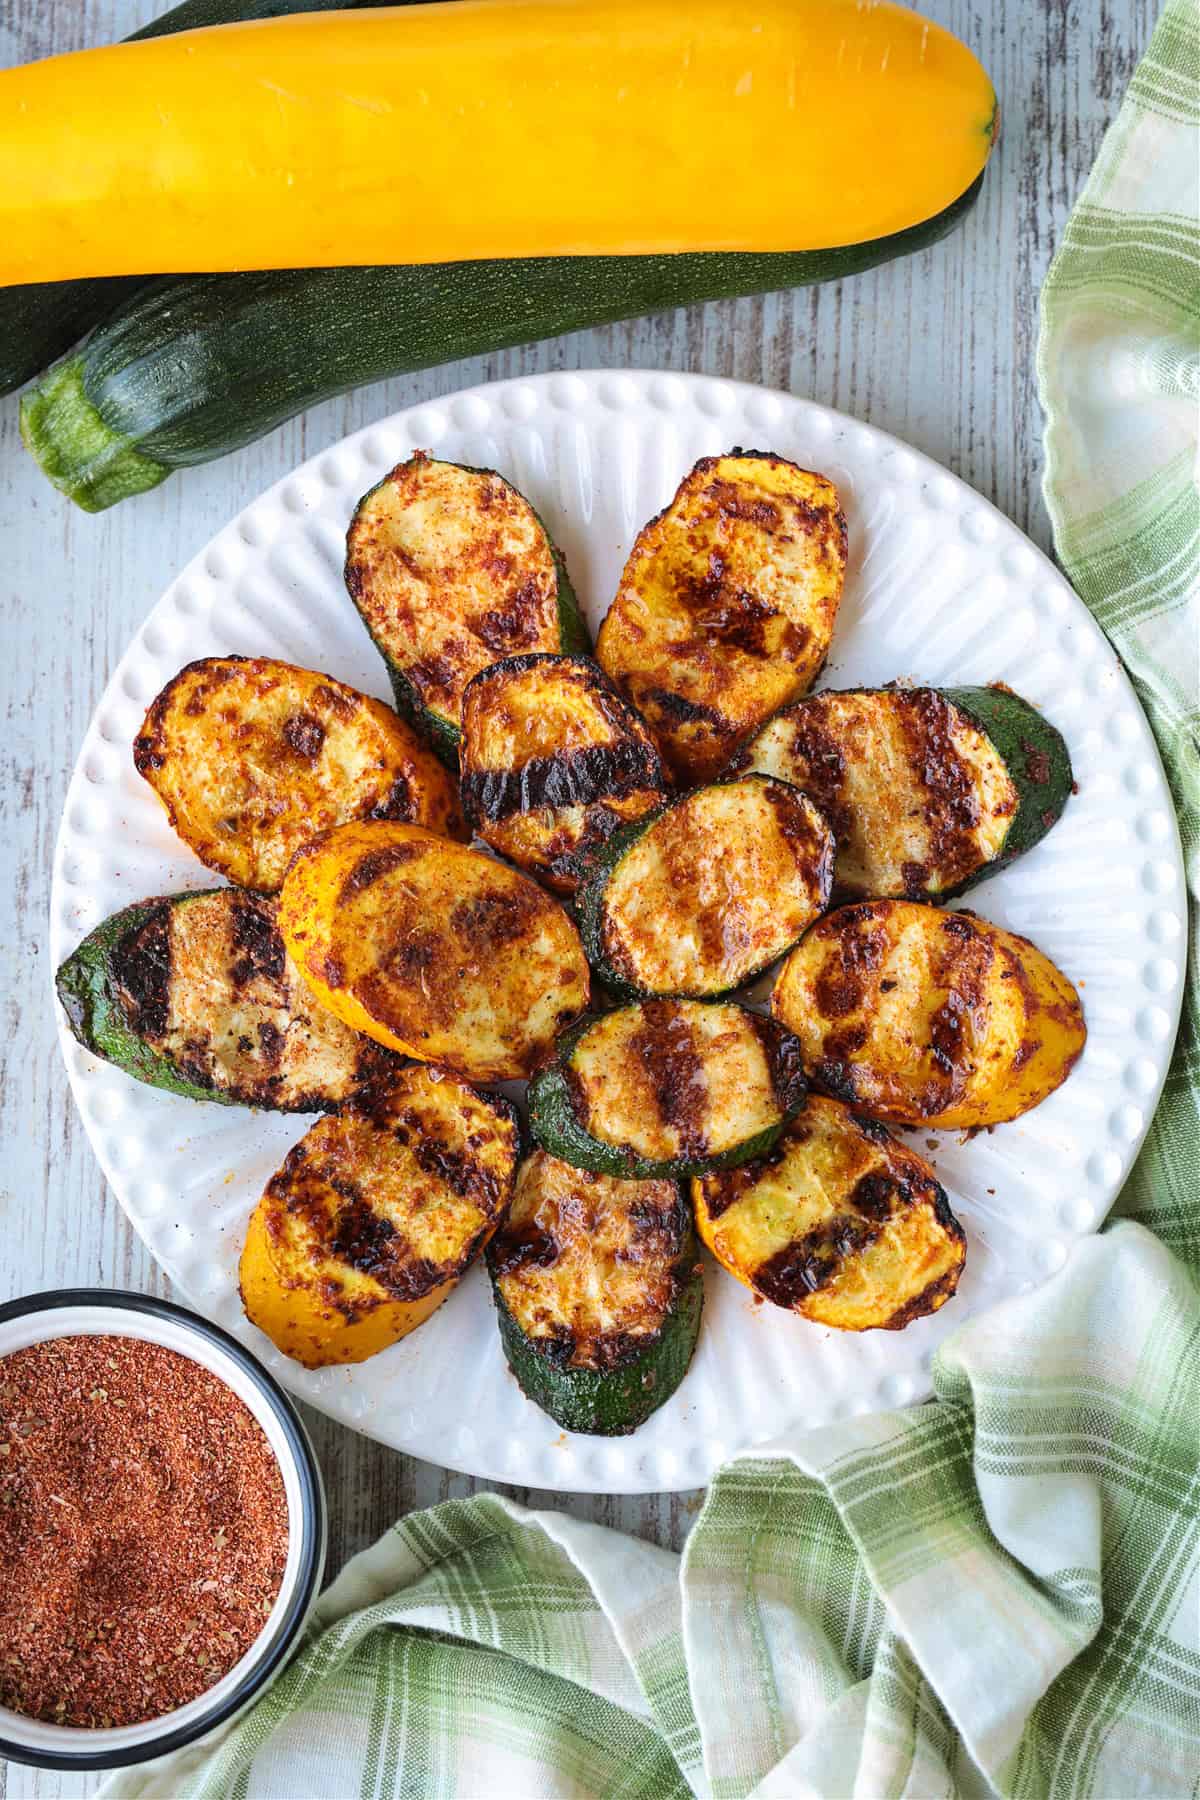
(708, 894)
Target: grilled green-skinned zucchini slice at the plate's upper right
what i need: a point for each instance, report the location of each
(927, 789)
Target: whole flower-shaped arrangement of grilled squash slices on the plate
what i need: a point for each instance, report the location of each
(571, 868)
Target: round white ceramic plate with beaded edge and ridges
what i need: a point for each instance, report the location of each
(940, 589)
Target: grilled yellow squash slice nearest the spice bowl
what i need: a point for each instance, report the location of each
(375, 1216)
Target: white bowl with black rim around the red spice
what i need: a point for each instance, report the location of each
(87, 1311)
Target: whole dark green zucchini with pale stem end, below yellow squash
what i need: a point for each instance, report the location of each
(195, 368)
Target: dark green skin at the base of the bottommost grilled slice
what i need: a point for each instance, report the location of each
(611, 1403)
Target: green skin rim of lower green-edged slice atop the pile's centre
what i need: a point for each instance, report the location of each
(555, 1126)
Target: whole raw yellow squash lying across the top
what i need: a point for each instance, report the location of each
(488, 129)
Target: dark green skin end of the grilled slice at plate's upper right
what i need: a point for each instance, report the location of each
(1037, 760)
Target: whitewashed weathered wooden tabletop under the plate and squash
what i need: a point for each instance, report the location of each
(938, 350)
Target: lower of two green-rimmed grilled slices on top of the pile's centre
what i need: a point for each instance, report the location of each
(667, 1088)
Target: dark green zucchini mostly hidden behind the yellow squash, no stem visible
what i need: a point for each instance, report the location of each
(42, 319)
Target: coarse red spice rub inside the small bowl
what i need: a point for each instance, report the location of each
(143, 1531)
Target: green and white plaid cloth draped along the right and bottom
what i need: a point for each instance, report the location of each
(994, 1594)
